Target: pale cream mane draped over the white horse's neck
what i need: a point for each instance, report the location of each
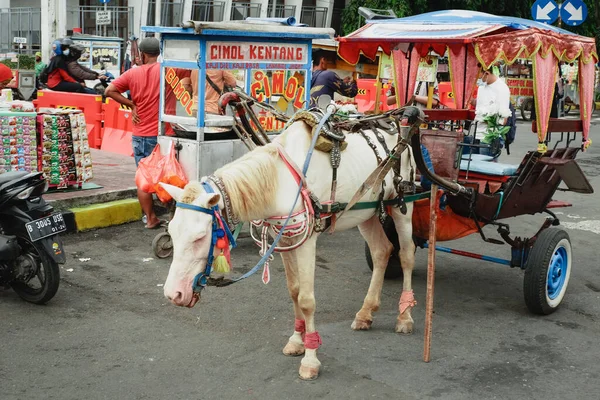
(251, 181)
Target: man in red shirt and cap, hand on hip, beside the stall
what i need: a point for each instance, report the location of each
(143, 83)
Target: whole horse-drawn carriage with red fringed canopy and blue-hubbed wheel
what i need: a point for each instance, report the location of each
(494, 191)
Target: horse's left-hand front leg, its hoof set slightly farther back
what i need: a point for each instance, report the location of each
(295, 344)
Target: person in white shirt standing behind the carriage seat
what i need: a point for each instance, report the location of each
(493, 97)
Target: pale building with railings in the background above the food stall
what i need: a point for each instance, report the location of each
(41, 21)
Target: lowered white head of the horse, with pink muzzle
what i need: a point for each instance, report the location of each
(191, 235)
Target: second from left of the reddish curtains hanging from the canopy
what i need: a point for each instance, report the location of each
(463, 79)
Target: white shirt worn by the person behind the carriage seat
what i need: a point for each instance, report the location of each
(491, 99)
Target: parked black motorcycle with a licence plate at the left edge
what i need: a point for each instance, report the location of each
(30, 248)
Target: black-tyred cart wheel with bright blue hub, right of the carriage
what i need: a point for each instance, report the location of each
(547, 272)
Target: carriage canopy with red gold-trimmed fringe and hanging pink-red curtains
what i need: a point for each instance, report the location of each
(472, 40)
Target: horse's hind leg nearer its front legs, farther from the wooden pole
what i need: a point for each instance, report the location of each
(381, 248)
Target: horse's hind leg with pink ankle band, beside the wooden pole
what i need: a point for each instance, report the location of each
(403, 225)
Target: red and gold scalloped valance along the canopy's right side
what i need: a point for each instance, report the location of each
(528, 42)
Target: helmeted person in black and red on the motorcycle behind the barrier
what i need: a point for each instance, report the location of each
(59, 78)
